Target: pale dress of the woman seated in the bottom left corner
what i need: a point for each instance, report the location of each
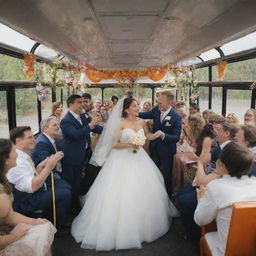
(36, 242)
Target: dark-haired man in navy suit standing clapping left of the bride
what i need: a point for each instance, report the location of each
(76, 129)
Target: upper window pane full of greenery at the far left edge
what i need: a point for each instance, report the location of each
(11, 68)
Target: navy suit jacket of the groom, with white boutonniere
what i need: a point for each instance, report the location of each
(171, 126)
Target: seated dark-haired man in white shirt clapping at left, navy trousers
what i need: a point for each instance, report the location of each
(31, 191)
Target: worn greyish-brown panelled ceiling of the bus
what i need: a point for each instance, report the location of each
(130, 34)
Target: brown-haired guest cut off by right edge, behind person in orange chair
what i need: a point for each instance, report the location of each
(246, 136)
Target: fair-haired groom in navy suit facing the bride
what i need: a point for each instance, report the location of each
(167, 128)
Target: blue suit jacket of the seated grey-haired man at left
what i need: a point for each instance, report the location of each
(43, 148)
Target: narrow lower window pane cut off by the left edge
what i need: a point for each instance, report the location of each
(4, 127)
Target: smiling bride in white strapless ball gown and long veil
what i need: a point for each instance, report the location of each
(128, 203)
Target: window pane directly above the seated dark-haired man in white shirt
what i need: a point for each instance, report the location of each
(26, 108)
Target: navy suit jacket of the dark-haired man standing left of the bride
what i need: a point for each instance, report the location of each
(76, 139)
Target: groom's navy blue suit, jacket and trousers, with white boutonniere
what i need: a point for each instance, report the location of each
(162, 150)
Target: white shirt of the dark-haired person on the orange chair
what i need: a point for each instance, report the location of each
(217, 204)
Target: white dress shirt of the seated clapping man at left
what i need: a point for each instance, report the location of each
(22, 174)
